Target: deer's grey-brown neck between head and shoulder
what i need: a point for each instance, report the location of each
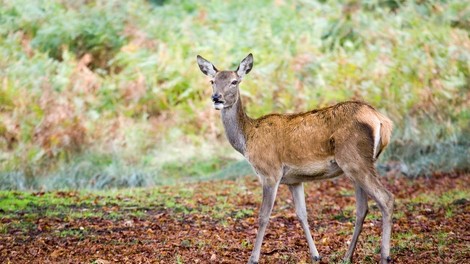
(236, 123)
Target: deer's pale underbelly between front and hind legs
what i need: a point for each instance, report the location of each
(319, 170)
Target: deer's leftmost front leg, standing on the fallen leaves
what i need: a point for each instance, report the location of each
(269, 195)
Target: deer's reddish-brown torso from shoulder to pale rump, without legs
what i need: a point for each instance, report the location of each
(305, 143)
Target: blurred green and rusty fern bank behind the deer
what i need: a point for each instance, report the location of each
(98, 94)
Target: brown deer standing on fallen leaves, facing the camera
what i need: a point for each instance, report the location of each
(344, 139)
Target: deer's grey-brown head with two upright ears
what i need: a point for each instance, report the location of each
(225, 83)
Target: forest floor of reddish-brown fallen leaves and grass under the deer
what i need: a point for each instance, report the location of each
(215, 222)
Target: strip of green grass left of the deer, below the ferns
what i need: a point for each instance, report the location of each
(117, 204)
